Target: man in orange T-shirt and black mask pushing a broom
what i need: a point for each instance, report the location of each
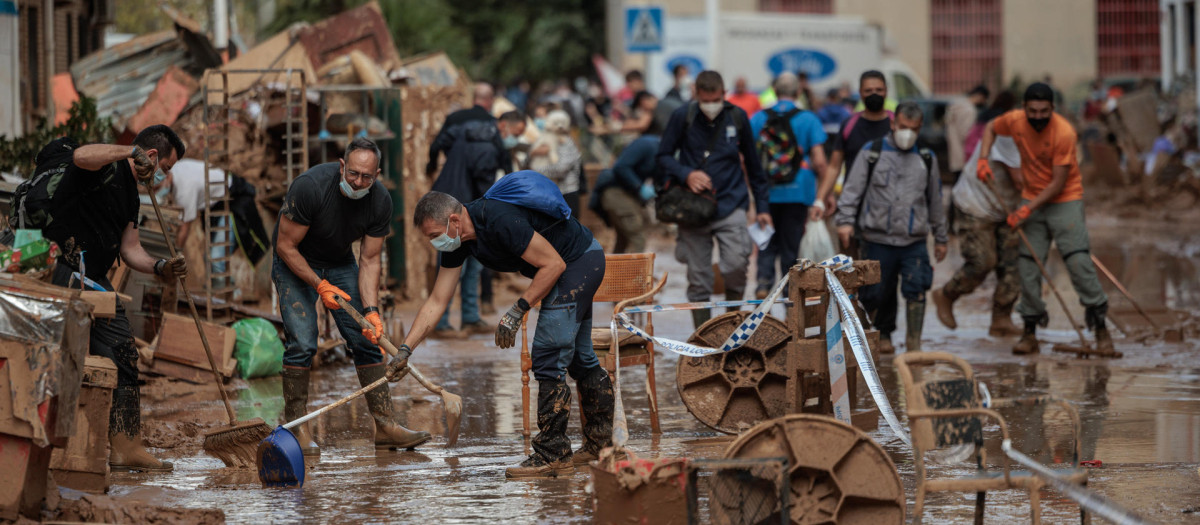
(1052, 210)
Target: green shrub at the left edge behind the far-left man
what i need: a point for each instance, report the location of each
(17, 154)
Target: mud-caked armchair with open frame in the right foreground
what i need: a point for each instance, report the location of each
(946, 412)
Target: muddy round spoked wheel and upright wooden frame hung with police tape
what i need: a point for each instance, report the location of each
(781, 370)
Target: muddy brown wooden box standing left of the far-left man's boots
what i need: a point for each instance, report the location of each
(83, 464)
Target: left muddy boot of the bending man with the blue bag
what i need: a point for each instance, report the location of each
(551, 449)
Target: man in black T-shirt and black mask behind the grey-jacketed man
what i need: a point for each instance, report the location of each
(874, 123)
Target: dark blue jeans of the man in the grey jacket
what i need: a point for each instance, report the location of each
(905, 267)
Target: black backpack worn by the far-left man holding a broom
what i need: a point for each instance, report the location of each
(31, 206)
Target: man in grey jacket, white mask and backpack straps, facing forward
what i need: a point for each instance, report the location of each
(893, 197)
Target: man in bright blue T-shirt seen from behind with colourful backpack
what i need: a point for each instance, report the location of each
(790, 201)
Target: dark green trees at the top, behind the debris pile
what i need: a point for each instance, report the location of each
(497, 40)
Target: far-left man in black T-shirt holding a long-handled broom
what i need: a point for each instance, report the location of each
(95, 210)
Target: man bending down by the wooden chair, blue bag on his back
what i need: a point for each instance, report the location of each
(567, 267)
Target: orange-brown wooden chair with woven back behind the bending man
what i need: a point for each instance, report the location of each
(628, 281)
